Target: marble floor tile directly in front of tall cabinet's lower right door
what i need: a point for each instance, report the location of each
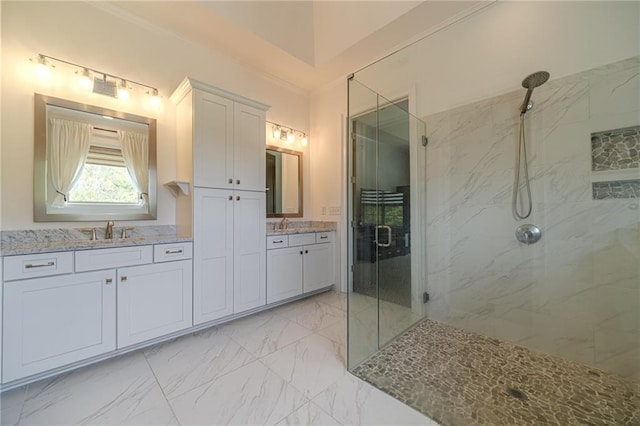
(264, 333)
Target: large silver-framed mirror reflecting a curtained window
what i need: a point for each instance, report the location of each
(92, 163)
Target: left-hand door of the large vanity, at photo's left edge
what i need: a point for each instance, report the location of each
(54, 321)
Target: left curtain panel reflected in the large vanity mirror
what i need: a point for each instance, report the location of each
(68, 148)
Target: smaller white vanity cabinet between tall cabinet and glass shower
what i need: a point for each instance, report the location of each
(298, 264)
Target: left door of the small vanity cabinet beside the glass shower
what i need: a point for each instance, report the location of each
(284, 273)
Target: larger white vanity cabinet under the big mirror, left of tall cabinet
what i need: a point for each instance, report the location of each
(92, 303)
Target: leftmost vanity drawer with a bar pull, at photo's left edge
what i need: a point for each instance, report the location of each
(37, 265)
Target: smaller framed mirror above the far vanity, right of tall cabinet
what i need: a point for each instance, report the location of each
(284, 182)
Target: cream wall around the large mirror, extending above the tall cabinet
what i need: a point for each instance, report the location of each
(90, 35)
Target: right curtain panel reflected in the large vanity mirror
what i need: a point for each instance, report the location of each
(135, 151)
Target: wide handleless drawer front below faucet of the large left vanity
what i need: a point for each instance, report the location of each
(93, 260)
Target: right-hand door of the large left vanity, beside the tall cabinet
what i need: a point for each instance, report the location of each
(153, 300)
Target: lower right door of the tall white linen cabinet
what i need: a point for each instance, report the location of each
(249, 251)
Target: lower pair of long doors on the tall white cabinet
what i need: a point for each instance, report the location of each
(229, 253)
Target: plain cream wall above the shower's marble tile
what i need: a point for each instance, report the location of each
(490, 52)
